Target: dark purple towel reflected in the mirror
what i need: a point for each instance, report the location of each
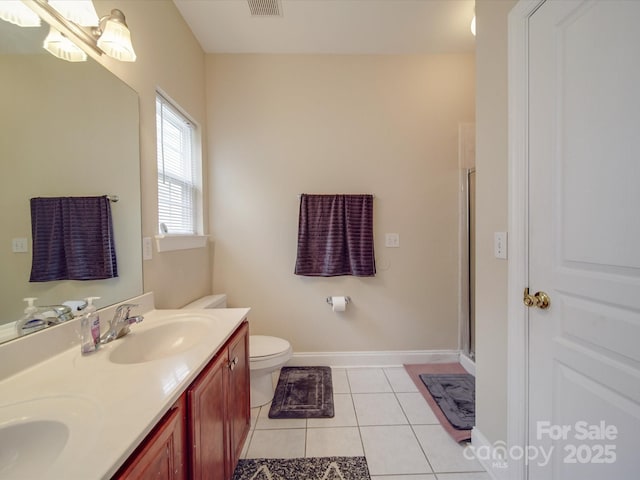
(72, 239)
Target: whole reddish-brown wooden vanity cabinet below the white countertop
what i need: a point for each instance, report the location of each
(206, 434)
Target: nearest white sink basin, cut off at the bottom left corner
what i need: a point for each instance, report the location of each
(35, 433)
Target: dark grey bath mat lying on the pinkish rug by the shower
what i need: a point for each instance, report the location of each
(455, 394)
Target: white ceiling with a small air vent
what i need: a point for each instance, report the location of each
(332, 26)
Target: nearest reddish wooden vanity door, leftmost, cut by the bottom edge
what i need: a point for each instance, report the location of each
(162, 454)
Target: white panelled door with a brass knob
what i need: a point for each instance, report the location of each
(584, 240)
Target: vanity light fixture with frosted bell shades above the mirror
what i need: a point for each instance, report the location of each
(77, 22)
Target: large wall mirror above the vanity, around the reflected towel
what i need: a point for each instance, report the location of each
(66, 129)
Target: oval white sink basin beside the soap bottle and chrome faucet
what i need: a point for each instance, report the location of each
(159, 342)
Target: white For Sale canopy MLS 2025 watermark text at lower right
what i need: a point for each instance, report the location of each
(593, 449)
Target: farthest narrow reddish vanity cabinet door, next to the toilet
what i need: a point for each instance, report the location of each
(238, 401)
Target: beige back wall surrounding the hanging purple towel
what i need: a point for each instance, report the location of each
(281, 125)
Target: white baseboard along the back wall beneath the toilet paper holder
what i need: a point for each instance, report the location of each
(372, 359)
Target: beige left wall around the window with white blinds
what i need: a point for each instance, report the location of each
(169, 58)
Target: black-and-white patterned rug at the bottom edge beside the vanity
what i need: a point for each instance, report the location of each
(318, 468)
